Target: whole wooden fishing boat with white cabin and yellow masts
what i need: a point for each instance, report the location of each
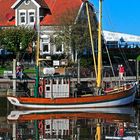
(56, 89)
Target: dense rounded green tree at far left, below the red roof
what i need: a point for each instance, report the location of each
(17, 39)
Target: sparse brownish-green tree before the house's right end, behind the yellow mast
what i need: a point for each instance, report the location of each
(74, 31)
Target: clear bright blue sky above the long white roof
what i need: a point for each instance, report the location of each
(120, 15)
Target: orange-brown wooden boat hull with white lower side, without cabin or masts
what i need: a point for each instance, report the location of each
(114, 98)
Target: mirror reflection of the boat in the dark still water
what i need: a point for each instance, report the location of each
(101, 123)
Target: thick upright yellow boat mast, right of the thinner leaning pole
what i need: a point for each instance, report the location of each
(99, 74)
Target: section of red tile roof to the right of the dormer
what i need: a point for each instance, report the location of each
(68, 9)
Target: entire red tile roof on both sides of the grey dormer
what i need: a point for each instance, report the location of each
(58, 8)
